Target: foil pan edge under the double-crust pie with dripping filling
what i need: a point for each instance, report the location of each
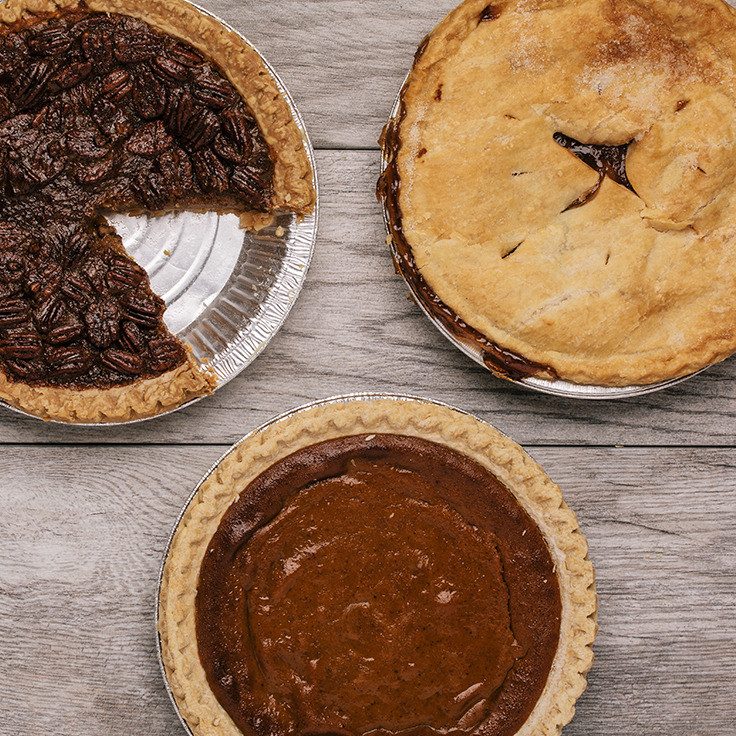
(558, 387)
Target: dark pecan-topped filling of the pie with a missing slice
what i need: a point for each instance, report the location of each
(102, 112)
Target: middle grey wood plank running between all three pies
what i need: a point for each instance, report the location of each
(353, 328)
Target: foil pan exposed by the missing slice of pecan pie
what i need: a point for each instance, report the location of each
(227, 290)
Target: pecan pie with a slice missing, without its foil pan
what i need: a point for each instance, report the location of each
(130, 106)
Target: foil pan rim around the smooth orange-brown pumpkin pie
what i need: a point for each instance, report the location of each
(342, 399)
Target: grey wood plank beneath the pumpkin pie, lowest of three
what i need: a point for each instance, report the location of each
(83, 530)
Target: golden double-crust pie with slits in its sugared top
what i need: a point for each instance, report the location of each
(561, 188)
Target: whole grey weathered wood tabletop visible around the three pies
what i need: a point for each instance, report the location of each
(86, 513)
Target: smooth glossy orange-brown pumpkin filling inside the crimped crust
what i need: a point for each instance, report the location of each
(377, 583)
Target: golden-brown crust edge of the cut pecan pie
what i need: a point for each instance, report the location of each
(293, 191)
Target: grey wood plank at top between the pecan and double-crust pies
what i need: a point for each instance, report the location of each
(343, 61)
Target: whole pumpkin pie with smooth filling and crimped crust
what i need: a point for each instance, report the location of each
(377, 566)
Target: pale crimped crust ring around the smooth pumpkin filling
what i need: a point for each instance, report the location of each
(533, 489)
